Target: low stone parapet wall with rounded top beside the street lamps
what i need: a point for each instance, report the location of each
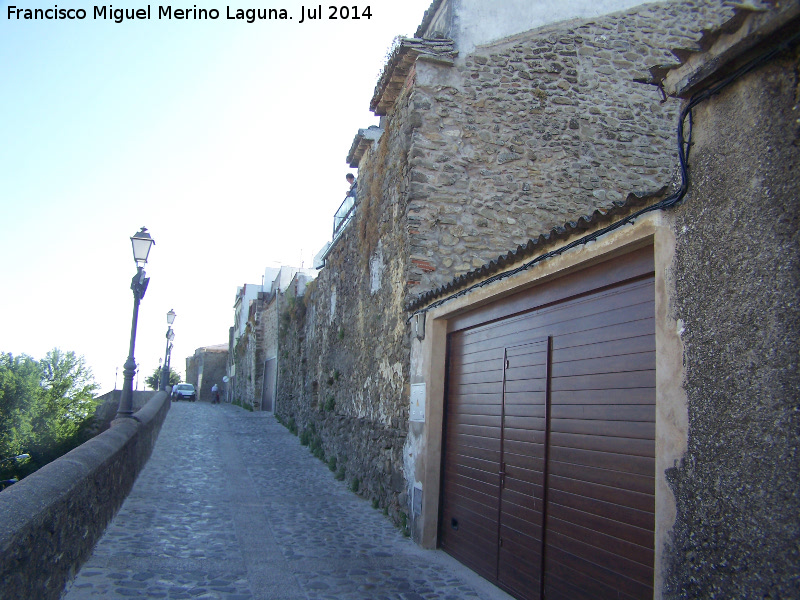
(51, 520)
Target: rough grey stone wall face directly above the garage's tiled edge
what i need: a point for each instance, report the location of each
(523, 135)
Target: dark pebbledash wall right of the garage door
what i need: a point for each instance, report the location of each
(736, 278)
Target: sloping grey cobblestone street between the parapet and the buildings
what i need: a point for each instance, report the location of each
(232, 507)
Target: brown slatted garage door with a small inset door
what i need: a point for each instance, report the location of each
(548, 465)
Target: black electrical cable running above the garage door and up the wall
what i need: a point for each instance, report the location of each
(684, 147)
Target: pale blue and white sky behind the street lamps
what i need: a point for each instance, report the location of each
(225, 139)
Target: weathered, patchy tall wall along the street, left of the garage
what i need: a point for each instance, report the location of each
(344, 349)
